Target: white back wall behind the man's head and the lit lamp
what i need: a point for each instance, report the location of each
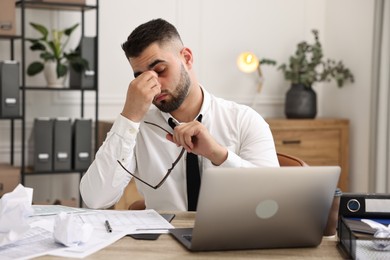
(217, 31)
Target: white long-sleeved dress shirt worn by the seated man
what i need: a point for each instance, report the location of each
(144, 150)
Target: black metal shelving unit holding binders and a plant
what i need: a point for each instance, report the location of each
(23, 5)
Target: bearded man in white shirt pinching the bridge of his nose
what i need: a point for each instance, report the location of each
(146, 139)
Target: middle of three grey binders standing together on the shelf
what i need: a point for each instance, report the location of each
(62, 160)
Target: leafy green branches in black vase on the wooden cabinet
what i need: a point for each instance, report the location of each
(306, 67)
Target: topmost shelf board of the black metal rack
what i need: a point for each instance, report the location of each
(54, 6)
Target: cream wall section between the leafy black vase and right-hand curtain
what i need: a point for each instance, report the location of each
(349, 36)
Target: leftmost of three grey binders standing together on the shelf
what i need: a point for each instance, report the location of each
(43, 144)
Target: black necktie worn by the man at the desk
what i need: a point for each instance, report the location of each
(192, 174)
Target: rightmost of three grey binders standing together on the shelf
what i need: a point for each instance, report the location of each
(82, 144)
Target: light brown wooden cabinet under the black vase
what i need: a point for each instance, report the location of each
(316, 141)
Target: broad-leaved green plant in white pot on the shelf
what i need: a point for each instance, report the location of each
(55, 60)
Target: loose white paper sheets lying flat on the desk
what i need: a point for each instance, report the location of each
(39, 239)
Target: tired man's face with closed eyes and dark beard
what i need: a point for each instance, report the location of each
(172, 75)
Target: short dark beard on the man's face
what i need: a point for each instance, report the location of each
(179, 94)
